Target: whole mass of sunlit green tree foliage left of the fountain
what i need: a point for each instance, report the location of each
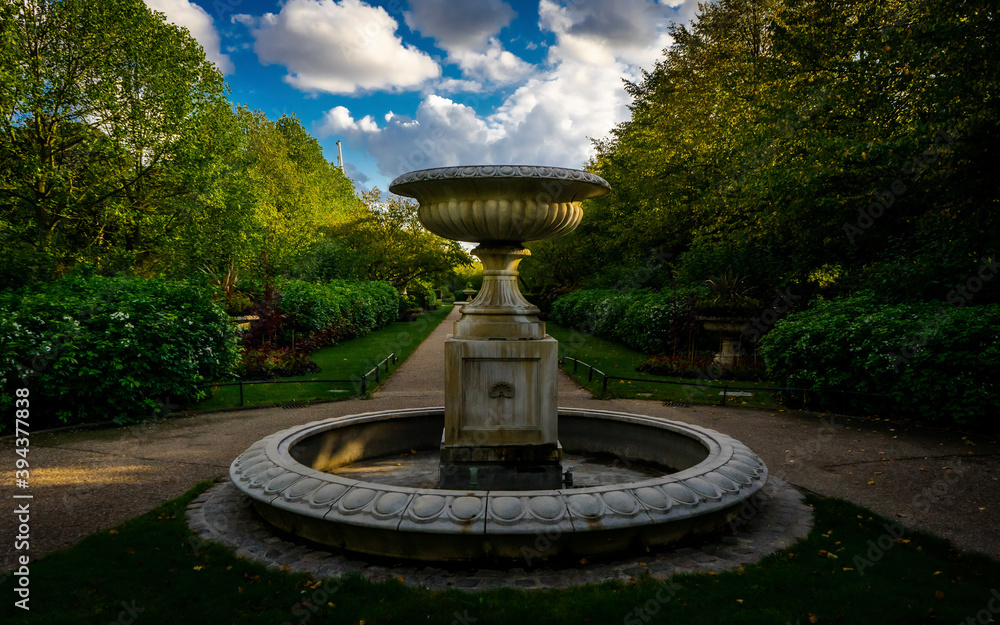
(119, 149)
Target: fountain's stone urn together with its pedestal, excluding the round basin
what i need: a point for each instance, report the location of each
(500, 365)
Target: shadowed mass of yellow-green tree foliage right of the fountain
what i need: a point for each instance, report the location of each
(831, 147)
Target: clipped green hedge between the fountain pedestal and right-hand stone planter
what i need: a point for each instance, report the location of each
(646, 320)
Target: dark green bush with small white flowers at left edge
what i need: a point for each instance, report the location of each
(94, 349)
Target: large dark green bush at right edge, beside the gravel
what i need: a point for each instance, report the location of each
(934, 363)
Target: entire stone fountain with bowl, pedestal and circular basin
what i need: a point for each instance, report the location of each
(500, 435)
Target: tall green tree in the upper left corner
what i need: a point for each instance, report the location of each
(104, 114)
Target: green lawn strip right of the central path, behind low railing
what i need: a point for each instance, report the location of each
(619, 361)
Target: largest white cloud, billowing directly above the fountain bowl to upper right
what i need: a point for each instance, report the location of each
(552, 114)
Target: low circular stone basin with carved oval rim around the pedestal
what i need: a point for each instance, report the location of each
(291, 478)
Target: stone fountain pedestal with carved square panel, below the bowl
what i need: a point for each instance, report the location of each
(500, 388)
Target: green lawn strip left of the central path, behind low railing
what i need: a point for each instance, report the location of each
(344, 361)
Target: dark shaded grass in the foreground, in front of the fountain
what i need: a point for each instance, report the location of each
(156, 564)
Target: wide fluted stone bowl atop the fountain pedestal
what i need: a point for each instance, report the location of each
(500, 203)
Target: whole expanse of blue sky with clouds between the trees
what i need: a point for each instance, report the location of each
(410, 84)
